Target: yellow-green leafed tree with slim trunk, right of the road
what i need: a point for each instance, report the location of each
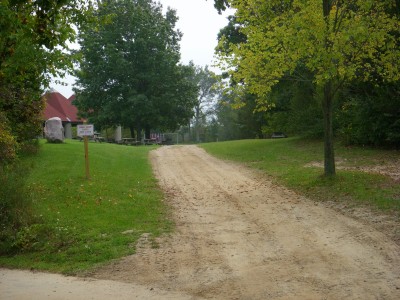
(337, 41)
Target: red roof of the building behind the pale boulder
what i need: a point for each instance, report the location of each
(59, 106)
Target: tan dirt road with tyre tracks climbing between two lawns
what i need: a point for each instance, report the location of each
(238, 236)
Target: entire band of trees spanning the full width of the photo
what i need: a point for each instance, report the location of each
(318, 67)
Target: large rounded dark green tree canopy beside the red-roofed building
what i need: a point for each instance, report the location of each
(130, 73)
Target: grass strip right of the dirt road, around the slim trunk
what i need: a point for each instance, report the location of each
(293, 162)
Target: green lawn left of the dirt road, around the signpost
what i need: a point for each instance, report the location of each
(82, 223)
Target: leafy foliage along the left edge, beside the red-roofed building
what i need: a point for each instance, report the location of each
(33, 46)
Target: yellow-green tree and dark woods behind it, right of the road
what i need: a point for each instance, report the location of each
(298, 57)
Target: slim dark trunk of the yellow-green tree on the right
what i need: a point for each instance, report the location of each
(329, 155)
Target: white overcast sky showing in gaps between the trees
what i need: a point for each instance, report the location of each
(198, 21)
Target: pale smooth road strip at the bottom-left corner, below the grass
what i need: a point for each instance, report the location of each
(28, 285)
